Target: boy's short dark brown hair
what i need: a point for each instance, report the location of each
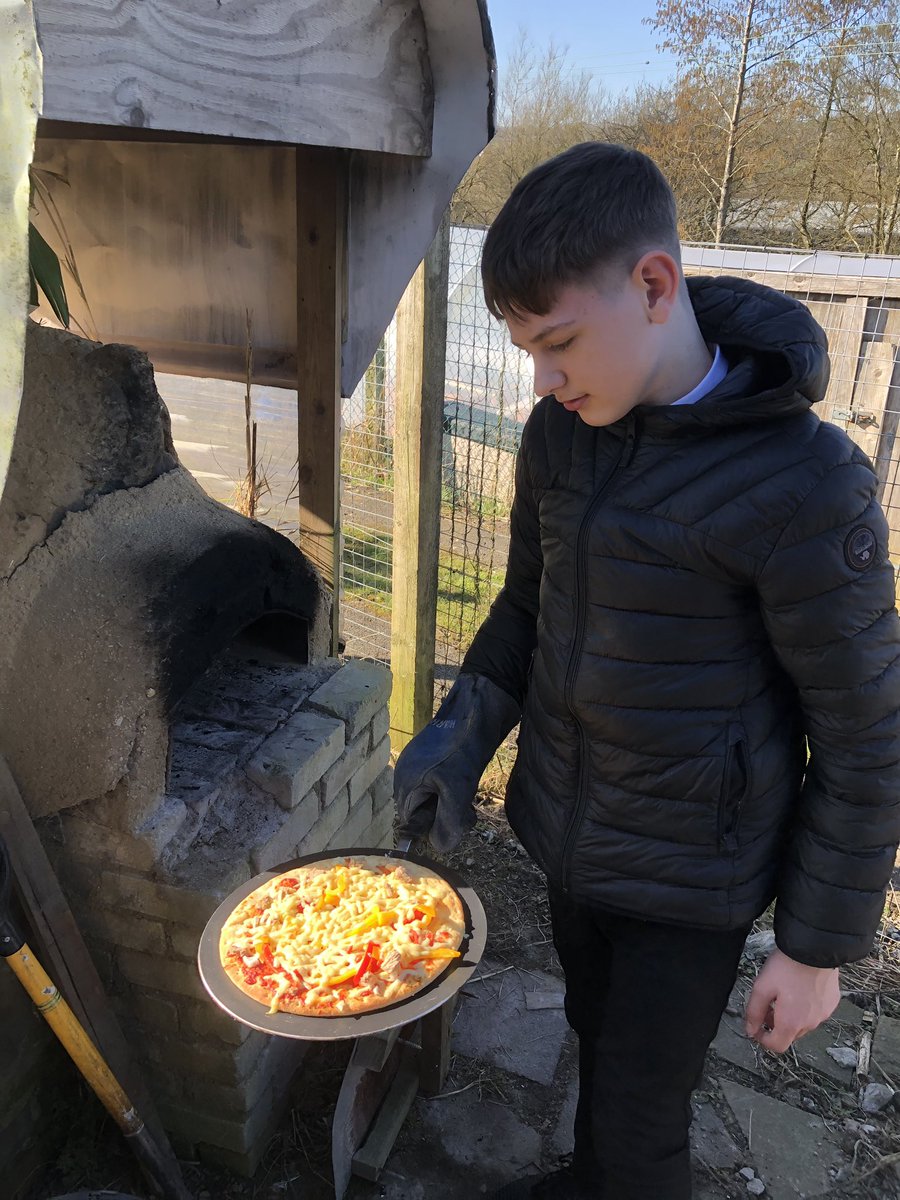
(596, 206)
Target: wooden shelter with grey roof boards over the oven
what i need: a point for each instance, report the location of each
(286, 160)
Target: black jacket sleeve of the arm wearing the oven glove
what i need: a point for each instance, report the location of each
(503, 647)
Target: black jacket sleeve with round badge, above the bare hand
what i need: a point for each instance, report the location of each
(829, 602)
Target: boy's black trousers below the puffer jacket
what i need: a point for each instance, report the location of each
(645, 1000)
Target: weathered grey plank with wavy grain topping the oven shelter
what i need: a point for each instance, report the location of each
(325, 73)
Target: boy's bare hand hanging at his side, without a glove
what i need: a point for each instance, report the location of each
(789, 1000)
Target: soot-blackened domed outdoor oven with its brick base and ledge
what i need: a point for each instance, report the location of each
(171, 717)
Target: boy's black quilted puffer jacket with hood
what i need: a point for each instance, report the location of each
(693, 595)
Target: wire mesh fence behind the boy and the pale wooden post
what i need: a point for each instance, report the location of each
(489, 397)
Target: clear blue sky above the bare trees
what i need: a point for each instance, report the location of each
(604, 38)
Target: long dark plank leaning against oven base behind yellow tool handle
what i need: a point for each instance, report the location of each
(71, 967)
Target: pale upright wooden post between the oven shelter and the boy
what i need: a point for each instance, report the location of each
(418, 431)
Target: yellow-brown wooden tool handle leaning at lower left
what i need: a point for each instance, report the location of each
(51, 1005)
